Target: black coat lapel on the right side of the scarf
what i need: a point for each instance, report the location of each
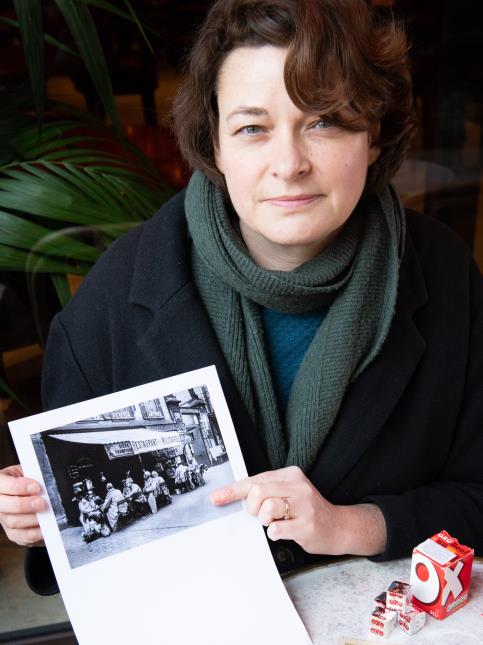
(374, 395)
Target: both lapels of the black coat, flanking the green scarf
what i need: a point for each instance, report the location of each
(162, 285)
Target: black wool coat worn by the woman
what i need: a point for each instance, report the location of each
(409, 435)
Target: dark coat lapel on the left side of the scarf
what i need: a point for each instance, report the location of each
(178, 336)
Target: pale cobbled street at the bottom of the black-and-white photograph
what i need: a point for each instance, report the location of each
(187, 510)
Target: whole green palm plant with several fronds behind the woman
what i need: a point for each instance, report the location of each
(68, 185)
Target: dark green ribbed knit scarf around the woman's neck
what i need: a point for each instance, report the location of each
(358, 273)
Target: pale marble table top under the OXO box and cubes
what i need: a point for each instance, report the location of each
(336, 600)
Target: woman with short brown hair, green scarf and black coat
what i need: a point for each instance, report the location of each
(346, 332)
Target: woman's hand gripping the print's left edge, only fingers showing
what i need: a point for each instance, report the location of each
(19, 501)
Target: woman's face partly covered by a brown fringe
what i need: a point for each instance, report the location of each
(293, 178)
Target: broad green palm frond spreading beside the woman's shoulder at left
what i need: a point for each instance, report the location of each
(60, 208)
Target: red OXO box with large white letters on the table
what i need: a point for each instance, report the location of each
(440, 575)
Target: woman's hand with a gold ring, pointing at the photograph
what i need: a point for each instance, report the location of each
(292, 508)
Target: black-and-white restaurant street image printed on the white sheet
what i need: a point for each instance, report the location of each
(129, 476)
